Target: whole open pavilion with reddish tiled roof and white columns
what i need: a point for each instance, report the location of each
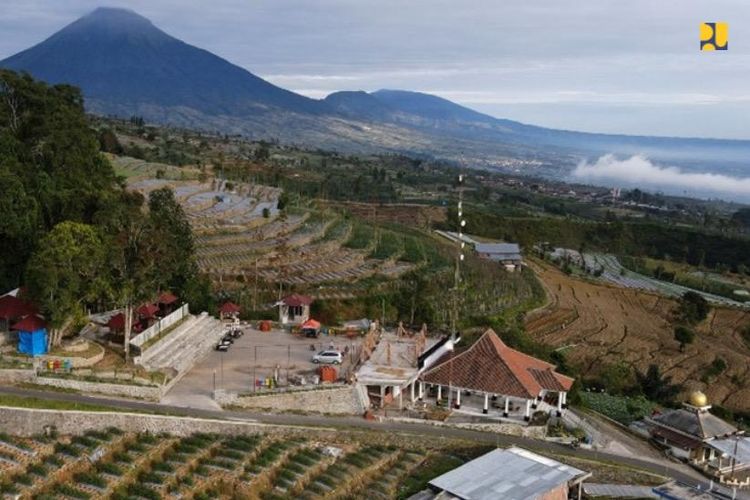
(492, 369)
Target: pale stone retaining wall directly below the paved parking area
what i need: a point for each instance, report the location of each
(333, 400)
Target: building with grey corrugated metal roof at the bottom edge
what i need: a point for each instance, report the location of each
(513, 473)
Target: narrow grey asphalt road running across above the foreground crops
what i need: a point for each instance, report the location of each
(355, 423)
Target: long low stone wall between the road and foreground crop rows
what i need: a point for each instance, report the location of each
(28, 422)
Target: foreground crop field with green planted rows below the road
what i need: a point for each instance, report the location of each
(112, 464)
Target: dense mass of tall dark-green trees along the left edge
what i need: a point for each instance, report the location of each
(72, 234)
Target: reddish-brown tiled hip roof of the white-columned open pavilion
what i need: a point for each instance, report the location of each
(491, 366)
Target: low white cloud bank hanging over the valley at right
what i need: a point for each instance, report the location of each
(640, 171)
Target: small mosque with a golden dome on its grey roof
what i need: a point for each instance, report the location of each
(704, 440)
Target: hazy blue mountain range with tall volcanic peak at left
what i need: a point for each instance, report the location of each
(126, 66)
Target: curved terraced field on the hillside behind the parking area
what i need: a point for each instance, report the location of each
(241, 236)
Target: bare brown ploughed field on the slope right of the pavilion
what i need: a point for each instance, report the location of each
(612, 324)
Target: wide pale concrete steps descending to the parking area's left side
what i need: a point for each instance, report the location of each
(181, 349)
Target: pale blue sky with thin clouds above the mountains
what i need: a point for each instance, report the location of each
(620, 66)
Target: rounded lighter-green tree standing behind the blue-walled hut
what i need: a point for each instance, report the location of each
(65, 273)
